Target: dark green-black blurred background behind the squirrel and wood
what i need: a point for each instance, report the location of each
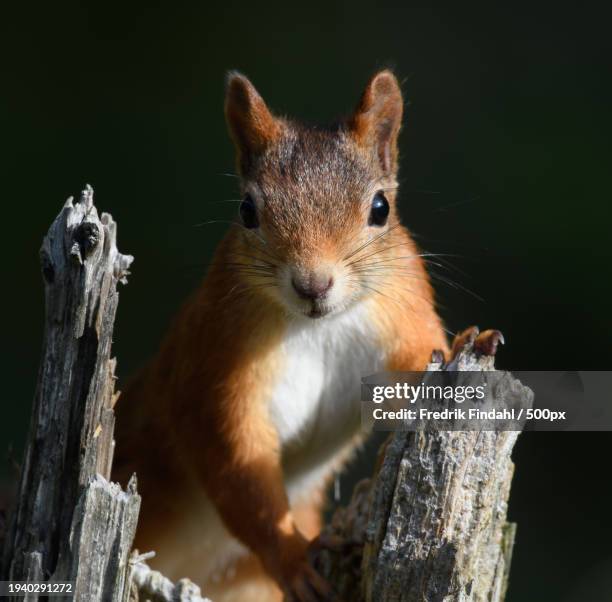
(505, 165)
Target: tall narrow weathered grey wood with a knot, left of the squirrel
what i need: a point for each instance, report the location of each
(70, 523)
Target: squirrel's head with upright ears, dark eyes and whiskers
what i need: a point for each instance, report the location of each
(318, 203)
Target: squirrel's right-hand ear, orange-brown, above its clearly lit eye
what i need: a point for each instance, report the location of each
(376, 122)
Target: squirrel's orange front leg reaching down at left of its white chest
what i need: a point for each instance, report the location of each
(240, 468)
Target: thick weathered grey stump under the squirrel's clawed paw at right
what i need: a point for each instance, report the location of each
(431, 525)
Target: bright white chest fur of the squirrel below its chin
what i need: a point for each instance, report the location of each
(315, 405)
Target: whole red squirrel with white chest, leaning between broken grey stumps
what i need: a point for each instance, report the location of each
(251, 404)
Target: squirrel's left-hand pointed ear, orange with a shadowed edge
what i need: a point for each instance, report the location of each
(250, 123)
